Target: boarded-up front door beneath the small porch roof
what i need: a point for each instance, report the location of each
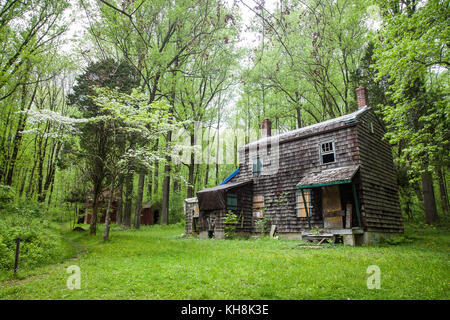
(332, 211)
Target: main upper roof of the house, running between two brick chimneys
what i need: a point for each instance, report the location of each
(312, 129)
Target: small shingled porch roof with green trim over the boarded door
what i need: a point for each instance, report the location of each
(328, 177)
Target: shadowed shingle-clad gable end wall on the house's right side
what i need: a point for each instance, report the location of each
(380, 201)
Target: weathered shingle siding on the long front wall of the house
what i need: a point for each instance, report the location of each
(297, 158)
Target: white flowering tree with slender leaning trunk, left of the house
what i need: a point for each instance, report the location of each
(132, 114)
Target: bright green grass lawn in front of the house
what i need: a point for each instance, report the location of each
(155, 263)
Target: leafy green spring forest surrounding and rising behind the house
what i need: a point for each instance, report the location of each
(149, 101)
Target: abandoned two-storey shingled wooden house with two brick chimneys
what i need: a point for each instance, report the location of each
(336, 177)
